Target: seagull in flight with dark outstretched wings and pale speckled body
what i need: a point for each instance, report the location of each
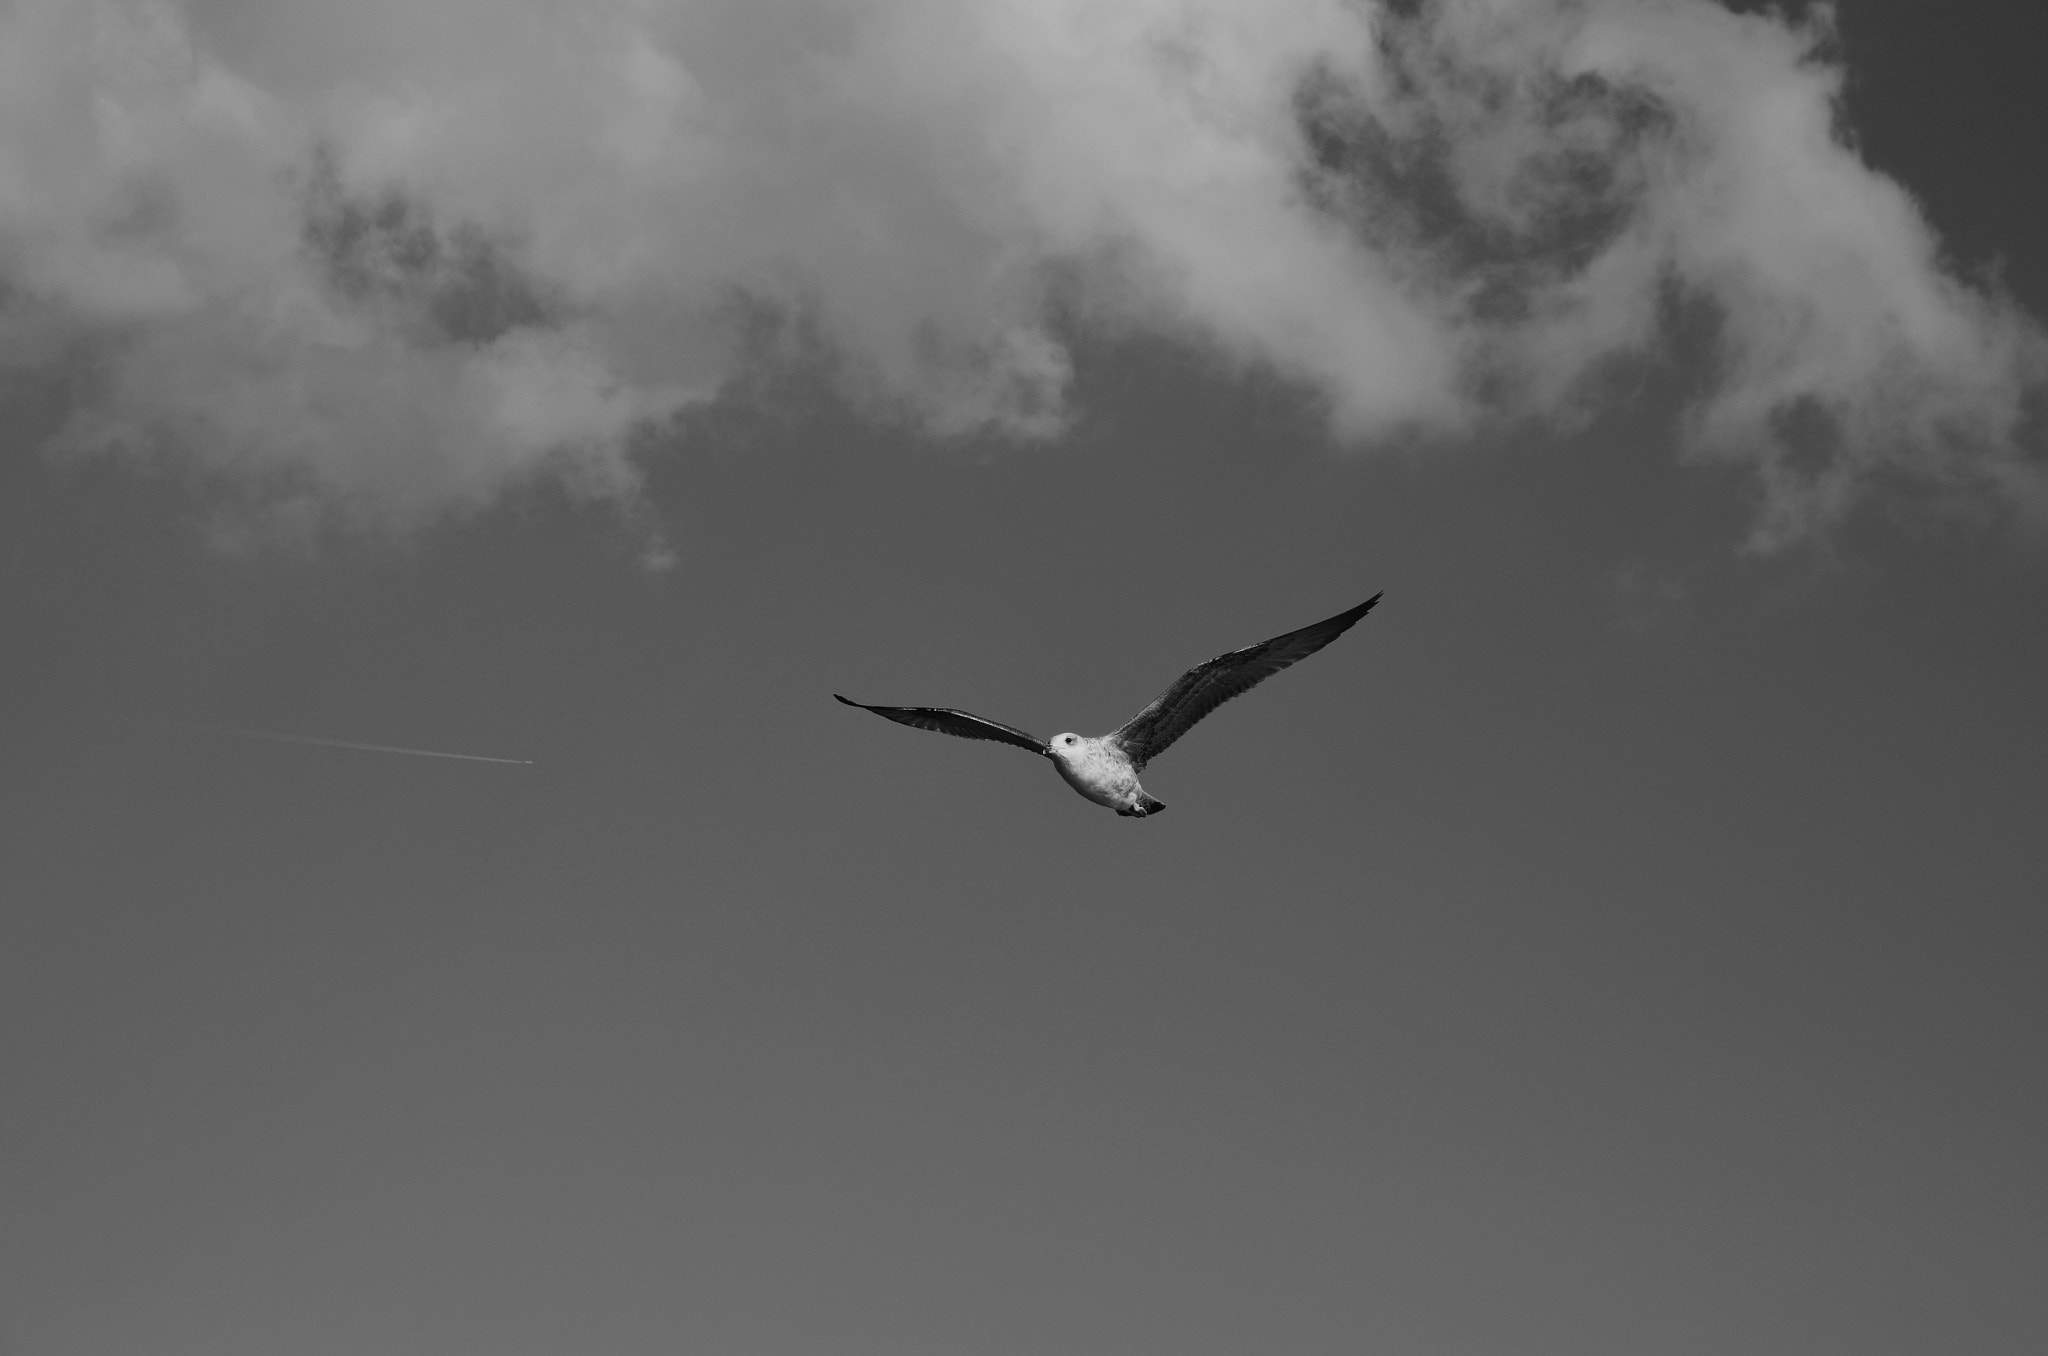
(1105, 769)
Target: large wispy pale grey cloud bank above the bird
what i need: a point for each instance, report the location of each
(384, 259)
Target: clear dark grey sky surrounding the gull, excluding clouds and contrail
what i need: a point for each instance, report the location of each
(1623, 943)
